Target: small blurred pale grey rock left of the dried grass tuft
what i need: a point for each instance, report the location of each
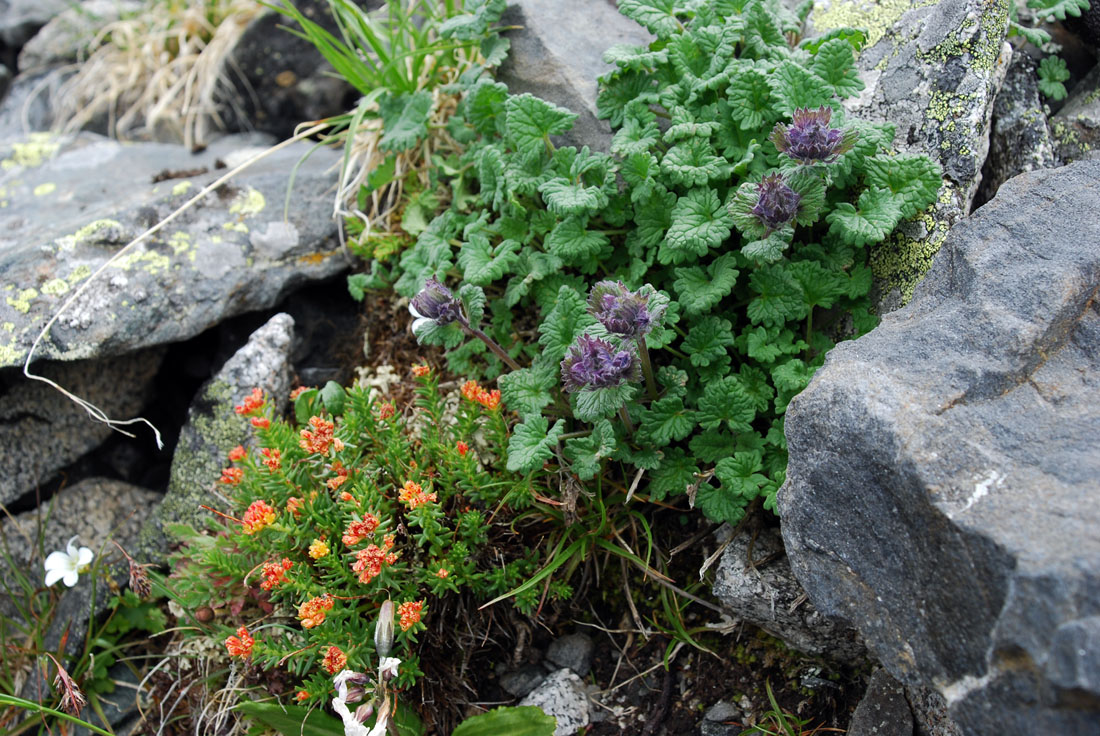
(65, 38)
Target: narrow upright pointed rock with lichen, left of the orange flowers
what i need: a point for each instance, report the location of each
(214, 429)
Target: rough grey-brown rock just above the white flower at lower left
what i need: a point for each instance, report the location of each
(95, 510)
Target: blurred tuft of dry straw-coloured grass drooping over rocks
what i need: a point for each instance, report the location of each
(156, 73)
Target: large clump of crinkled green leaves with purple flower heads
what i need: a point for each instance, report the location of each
(738, 188)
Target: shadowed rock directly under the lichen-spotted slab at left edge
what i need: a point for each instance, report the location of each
(42, 431)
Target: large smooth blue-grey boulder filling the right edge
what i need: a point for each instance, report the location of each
(944, 469)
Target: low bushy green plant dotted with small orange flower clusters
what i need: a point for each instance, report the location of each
(358, 503)
